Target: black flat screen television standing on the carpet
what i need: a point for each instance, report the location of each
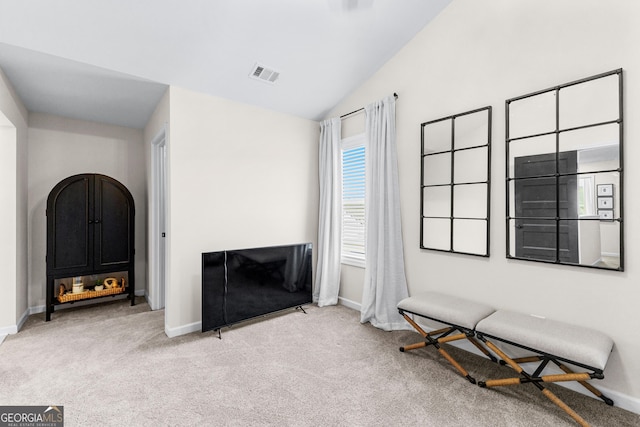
(242, 284)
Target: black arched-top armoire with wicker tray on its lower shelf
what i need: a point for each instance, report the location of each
(90, 236)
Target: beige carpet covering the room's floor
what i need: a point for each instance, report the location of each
(111, 364)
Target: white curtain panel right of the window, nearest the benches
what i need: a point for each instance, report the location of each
(385, 283)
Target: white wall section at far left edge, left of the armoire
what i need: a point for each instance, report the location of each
(13, 220)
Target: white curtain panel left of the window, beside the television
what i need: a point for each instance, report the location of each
(330, 214)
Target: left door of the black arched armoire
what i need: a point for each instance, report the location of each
(70, 238)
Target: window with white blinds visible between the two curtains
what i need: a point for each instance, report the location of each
(353, 193)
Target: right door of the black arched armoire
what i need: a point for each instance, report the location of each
(113, 223)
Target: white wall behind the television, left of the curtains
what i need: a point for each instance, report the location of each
(239, 177)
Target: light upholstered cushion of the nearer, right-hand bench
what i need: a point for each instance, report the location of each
(570, 342)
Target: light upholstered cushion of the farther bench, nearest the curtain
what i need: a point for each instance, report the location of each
(446, 308)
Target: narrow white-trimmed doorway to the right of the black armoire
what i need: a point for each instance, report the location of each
(158, 215)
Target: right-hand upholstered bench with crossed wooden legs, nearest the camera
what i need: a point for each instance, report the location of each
(549, 341)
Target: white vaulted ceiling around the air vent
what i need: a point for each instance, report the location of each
(110, 61)
